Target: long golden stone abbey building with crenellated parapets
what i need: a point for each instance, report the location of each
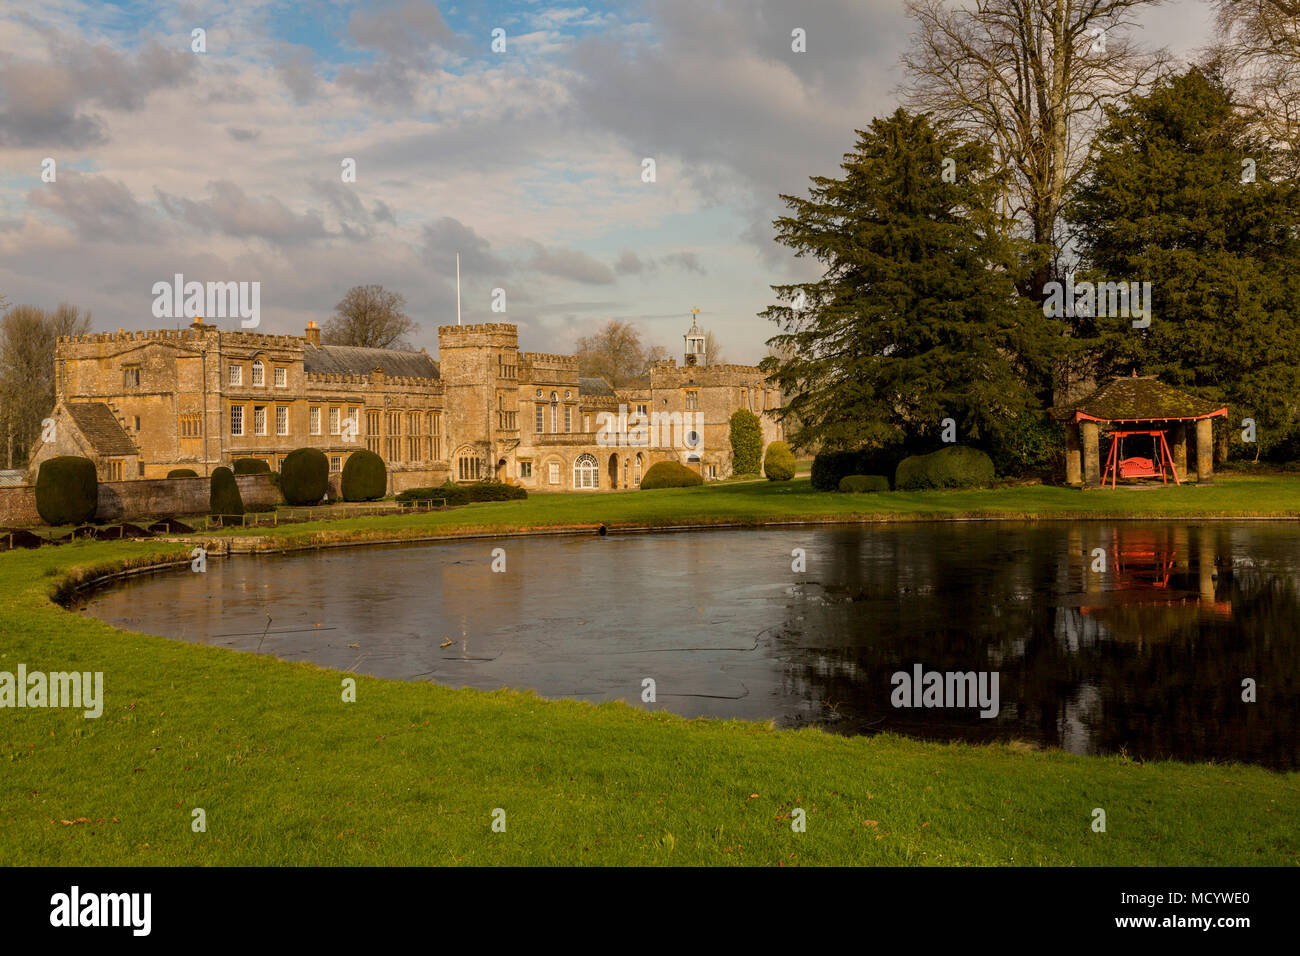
(141, 404)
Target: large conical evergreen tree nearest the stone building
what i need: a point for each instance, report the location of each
(917, 317)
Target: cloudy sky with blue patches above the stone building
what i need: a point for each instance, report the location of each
(227, 165)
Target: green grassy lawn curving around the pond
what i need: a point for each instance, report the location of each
(411, 773)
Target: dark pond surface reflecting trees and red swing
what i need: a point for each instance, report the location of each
(1107, 638)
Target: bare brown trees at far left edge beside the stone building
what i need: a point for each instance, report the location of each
(28, 339)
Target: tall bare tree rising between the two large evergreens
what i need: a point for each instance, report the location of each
(1030, 77)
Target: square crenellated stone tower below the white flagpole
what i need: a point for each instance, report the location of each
(480, 374)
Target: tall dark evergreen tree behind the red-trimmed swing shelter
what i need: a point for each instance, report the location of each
(1178, 193)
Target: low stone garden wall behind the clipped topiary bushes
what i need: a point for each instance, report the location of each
(142, 499)
